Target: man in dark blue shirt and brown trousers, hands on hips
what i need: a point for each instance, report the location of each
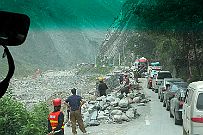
(75, 102)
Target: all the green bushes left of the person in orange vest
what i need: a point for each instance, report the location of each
(16, 120)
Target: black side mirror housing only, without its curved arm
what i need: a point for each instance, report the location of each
(13, 28)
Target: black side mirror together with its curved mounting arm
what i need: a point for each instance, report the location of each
(13, 31)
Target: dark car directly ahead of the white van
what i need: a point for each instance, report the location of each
(176, 106)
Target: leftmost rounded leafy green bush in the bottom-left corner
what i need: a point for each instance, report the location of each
(13, 116)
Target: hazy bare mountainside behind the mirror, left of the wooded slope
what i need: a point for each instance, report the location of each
(63, 33)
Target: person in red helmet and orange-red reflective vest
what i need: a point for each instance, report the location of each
(56, 119)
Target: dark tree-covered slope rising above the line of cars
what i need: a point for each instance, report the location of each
(170, 31)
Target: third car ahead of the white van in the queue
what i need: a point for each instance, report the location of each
(162, 87)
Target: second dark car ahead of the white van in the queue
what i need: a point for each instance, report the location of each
(168, 95)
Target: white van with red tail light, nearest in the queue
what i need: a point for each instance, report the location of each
(193, 109)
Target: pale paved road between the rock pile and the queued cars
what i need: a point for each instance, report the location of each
(156, 120)
